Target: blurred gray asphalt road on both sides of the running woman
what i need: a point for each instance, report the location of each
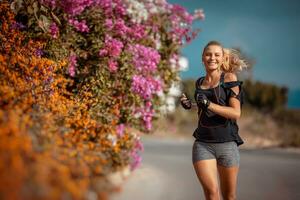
(167, 173)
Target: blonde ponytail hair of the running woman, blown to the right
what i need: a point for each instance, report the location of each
(232, 60)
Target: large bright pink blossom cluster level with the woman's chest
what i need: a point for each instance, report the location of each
(145, 86)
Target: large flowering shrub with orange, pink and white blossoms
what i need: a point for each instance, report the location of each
(92, 70)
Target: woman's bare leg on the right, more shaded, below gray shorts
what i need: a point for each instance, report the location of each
(228, 181)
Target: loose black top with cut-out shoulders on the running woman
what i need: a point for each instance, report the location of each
(211, 126)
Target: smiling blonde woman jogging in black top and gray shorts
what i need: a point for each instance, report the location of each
(218, 97)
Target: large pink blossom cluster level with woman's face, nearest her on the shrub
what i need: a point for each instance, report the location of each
(145, 59)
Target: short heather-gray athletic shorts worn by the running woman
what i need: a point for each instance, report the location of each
(227, 153)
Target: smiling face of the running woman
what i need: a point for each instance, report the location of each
(212, 57)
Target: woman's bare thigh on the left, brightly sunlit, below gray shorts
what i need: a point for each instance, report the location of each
(207, 173)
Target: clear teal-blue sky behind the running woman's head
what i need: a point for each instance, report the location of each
(266, 30)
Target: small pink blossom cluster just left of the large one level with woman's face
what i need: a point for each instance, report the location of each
(112, 47)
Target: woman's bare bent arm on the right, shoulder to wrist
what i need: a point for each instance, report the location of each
(233, 111)
